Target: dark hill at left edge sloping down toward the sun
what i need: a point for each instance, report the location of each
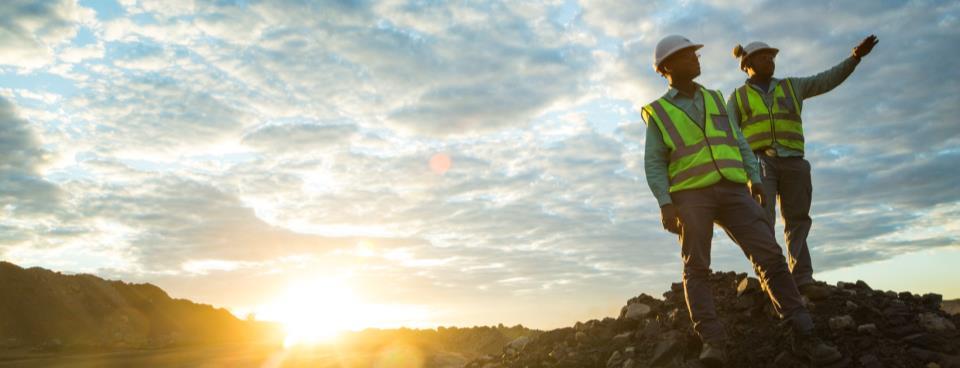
(47, 310)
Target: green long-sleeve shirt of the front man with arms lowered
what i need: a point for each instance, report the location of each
(656, 153)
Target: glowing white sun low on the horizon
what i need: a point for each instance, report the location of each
(314, 311)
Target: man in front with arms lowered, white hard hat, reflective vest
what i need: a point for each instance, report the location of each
(698, 167)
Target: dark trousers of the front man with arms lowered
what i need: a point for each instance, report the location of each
(730, 205)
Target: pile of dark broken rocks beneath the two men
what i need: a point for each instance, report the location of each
(872, 328)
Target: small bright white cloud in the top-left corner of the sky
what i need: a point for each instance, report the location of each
(29, 30)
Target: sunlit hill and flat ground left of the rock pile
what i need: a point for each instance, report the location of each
(50, 319)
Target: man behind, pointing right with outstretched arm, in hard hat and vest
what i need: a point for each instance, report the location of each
(767, 111)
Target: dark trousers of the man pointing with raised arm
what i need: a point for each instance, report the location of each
(787, 180)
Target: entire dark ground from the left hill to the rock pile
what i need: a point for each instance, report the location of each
(49, 319)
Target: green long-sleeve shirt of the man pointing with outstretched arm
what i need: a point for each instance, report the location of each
(805, 87)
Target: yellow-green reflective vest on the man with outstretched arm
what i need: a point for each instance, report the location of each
(763, 125)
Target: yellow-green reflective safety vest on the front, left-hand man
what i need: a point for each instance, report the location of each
(699, 157)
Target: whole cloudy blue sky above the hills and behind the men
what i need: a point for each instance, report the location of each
(444, 163)
